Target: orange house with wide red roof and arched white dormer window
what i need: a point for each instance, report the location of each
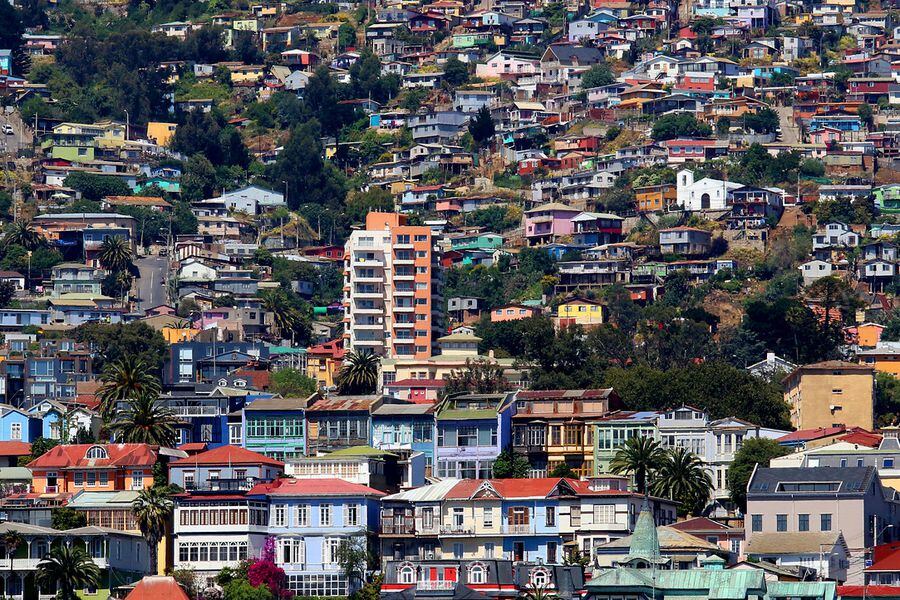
(68, 469)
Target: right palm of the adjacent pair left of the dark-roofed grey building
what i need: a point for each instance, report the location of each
(683, 477)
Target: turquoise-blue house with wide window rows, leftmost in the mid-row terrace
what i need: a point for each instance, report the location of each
(274, 427)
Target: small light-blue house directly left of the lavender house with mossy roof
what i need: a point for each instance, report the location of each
(405, 428)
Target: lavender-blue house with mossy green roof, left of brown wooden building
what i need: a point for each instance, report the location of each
(472, 429)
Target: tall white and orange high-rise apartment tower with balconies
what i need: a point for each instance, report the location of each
(392, 289)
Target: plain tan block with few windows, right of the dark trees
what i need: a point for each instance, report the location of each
(831, 393)
